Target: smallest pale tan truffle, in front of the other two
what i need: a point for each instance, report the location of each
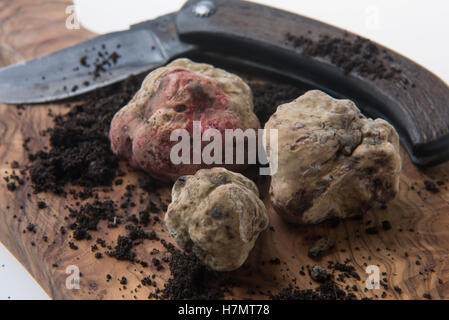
(218, 215)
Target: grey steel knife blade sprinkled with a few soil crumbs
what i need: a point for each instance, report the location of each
(92, 64)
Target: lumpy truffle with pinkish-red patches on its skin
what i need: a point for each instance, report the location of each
(171, 98)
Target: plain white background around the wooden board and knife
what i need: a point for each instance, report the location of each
(416, 28)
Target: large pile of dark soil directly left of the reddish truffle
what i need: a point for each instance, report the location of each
(79, 144)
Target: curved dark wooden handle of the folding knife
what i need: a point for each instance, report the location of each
(416, 103)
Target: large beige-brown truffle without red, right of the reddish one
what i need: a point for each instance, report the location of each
(332, 160)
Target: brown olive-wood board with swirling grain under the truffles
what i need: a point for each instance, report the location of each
(426, 213)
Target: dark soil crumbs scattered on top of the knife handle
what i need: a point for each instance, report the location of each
(351, 55)
